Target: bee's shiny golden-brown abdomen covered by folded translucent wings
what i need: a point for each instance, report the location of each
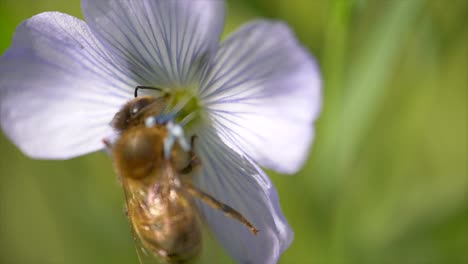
(163, 217)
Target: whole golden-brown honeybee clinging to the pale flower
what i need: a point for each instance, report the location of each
(156, 164)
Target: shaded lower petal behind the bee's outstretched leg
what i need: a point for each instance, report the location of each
(237, 182)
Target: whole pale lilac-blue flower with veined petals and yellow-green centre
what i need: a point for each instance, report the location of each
(256, 97)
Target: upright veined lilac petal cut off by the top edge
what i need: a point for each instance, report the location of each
(162, 41)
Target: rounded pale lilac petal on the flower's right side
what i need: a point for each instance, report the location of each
(263, 94)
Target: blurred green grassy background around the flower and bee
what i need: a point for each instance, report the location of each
(387, 178)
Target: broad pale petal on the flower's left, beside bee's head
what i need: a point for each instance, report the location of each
(58, 88)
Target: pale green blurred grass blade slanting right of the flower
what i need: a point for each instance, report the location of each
(368, 77)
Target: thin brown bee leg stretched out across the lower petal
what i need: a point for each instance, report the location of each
(215, 204)
